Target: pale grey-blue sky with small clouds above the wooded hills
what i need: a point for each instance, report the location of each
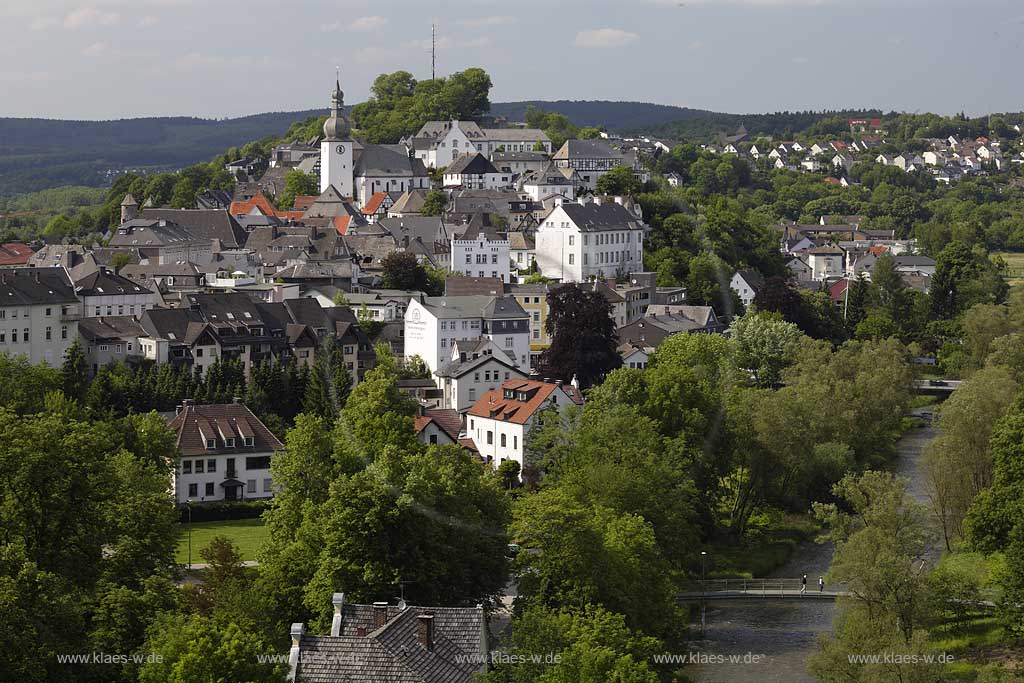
(216, 59)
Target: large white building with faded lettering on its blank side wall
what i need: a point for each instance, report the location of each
(434, 325)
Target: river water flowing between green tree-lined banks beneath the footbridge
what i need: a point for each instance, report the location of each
(774, 639)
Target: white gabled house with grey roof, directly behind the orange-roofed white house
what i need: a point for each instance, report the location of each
(474, 369)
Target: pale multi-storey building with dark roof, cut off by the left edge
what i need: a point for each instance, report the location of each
(39, 314)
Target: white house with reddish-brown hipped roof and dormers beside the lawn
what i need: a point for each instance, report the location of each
(225, 454)
